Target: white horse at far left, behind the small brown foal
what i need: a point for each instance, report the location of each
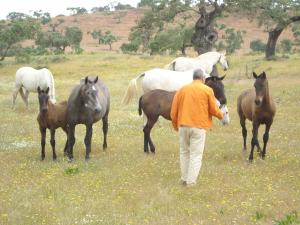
(30, 79)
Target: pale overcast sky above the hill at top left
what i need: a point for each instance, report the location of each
(54, 7)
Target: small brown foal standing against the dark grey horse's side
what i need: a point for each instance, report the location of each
(51, 116)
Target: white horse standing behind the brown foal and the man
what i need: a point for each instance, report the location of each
(166, 80)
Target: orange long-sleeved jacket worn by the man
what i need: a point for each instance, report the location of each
(194, 105)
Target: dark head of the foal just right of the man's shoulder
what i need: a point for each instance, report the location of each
(218, 87)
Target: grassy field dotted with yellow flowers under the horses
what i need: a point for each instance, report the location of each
(125, 186)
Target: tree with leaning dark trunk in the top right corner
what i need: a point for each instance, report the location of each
(273, 15)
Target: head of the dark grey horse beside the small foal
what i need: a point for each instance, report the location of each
(89, 94)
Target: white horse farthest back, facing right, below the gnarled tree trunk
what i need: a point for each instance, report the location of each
(205, 62)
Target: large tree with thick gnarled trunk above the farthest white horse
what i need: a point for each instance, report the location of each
(165, 11)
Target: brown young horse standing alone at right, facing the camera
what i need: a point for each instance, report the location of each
(257, 106)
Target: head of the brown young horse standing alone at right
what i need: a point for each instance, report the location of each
(260, 86)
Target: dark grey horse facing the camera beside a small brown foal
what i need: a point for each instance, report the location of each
(88, 102)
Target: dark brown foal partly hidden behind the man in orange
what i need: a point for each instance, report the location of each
(159, 102)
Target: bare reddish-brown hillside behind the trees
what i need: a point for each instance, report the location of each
(110, 21)
